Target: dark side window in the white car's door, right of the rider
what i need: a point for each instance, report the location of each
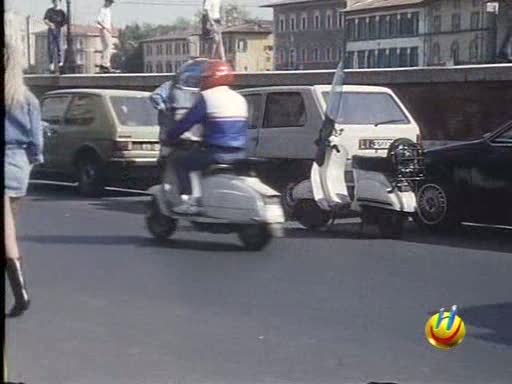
(284, 109)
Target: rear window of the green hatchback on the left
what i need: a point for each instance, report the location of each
(134, 111)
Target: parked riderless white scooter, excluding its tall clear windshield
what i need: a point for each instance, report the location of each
(384, 192)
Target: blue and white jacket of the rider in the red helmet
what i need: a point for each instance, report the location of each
(223, 114)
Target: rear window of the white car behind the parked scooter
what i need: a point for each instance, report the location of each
(365, 108)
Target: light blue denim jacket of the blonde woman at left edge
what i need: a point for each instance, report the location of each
(23, 128)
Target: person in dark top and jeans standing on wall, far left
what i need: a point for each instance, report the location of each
(55, 18)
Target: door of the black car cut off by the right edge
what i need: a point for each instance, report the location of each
(491, 180)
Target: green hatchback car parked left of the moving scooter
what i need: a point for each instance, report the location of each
(100, 138)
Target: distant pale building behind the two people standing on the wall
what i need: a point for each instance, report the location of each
(87, 47)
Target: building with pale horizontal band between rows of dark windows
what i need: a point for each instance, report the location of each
(384, 33)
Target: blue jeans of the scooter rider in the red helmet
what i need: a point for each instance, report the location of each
(199, 159)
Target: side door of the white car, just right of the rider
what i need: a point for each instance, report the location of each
(284, 132)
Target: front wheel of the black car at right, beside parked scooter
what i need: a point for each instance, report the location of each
(436, 209)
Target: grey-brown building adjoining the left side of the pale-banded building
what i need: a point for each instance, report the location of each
(308, 34)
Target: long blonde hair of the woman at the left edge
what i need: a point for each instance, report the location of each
(14, 85)
